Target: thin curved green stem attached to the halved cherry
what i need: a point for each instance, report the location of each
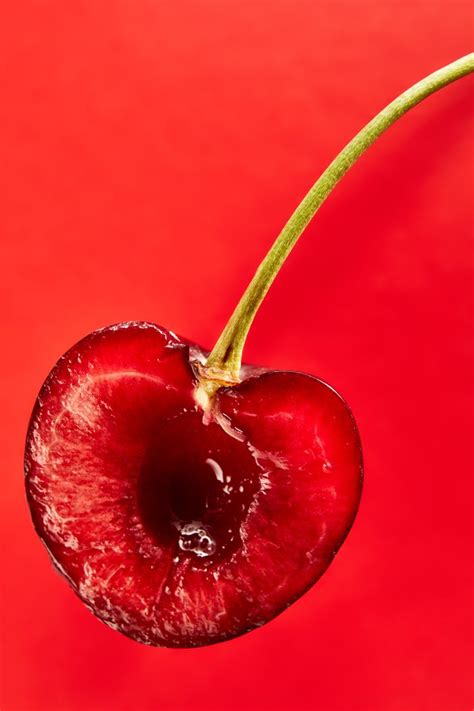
(224, 362)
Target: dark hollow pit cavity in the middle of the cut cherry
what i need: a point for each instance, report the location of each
(195, 488)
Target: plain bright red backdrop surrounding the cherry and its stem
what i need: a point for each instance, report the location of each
(150, 152)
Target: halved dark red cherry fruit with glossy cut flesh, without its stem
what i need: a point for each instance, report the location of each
(128, 484)
